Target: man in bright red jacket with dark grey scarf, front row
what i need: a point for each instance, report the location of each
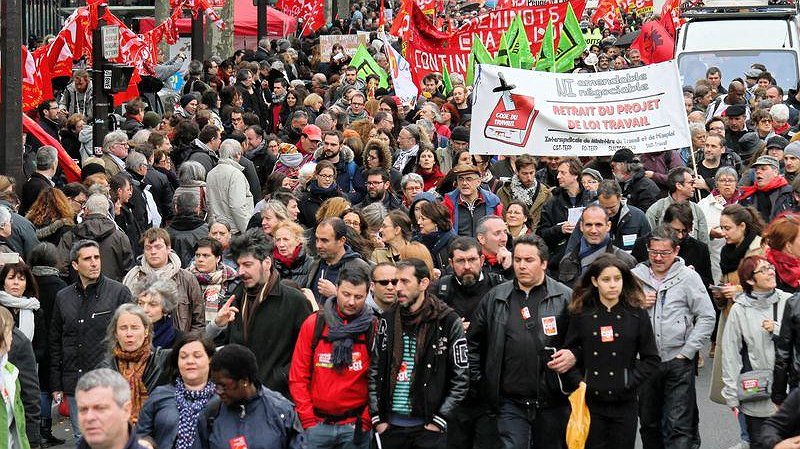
(328, 375)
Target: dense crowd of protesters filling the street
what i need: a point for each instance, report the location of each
(367, 277)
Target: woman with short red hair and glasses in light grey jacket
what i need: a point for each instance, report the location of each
(748, 342)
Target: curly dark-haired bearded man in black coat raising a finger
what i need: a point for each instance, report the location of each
(268, 314)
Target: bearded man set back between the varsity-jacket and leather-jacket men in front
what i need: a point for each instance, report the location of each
(471, 425)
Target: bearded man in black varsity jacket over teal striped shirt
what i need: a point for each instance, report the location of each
(407, 413)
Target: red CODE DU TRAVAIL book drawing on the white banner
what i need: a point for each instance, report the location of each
(511, 120)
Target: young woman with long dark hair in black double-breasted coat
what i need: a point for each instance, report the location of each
(612, 339)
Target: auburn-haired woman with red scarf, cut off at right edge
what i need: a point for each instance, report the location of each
(783, 251)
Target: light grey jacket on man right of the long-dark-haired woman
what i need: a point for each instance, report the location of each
(683, 316)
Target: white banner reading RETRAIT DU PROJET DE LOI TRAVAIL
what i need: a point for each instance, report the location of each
(518, 111)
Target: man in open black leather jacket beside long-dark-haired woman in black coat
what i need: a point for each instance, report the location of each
(515, 359)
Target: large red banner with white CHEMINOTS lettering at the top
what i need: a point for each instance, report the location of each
(429, 49)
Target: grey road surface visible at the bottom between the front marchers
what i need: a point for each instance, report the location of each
(718, 428)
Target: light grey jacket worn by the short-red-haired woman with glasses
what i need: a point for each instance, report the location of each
(744, 323)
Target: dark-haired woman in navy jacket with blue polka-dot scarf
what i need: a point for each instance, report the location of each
(169, 416)
